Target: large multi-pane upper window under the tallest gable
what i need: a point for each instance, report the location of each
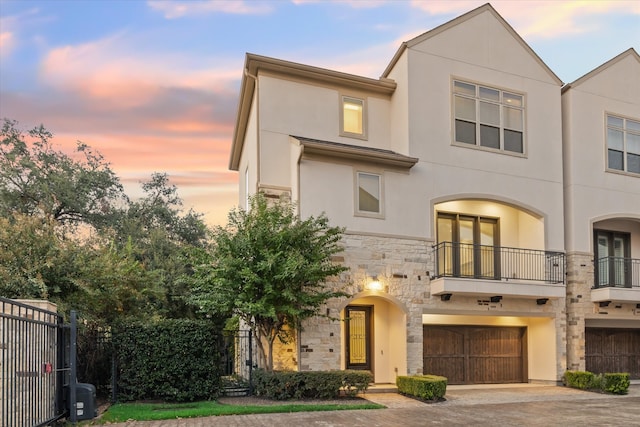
(488, 117)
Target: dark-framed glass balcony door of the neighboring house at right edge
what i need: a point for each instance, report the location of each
(612, 255)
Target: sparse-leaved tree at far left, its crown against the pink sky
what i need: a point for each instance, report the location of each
(35, 179)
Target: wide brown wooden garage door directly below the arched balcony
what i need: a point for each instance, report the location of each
(475, 354)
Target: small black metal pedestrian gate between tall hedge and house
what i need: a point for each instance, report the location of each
(237, 362)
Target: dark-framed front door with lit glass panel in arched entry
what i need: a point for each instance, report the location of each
(358, 337)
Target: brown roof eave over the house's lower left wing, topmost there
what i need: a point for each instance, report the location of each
(255, 64)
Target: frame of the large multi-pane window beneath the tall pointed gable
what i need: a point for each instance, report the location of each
(481, 124)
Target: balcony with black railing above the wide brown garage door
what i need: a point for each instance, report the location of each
(496, 271)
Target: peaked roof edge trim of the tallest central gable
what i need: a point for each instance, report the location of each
(459, 20)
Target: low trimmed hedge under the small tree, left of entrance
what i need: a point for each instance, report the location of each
(283, 385)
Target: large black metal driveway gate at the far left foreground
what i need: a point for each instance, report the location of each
(33, 365)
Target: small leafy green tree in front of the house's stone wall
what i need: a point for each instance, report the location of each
(270, 268)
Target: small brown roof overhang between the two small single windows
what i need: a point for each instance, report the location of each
(353, 152)
